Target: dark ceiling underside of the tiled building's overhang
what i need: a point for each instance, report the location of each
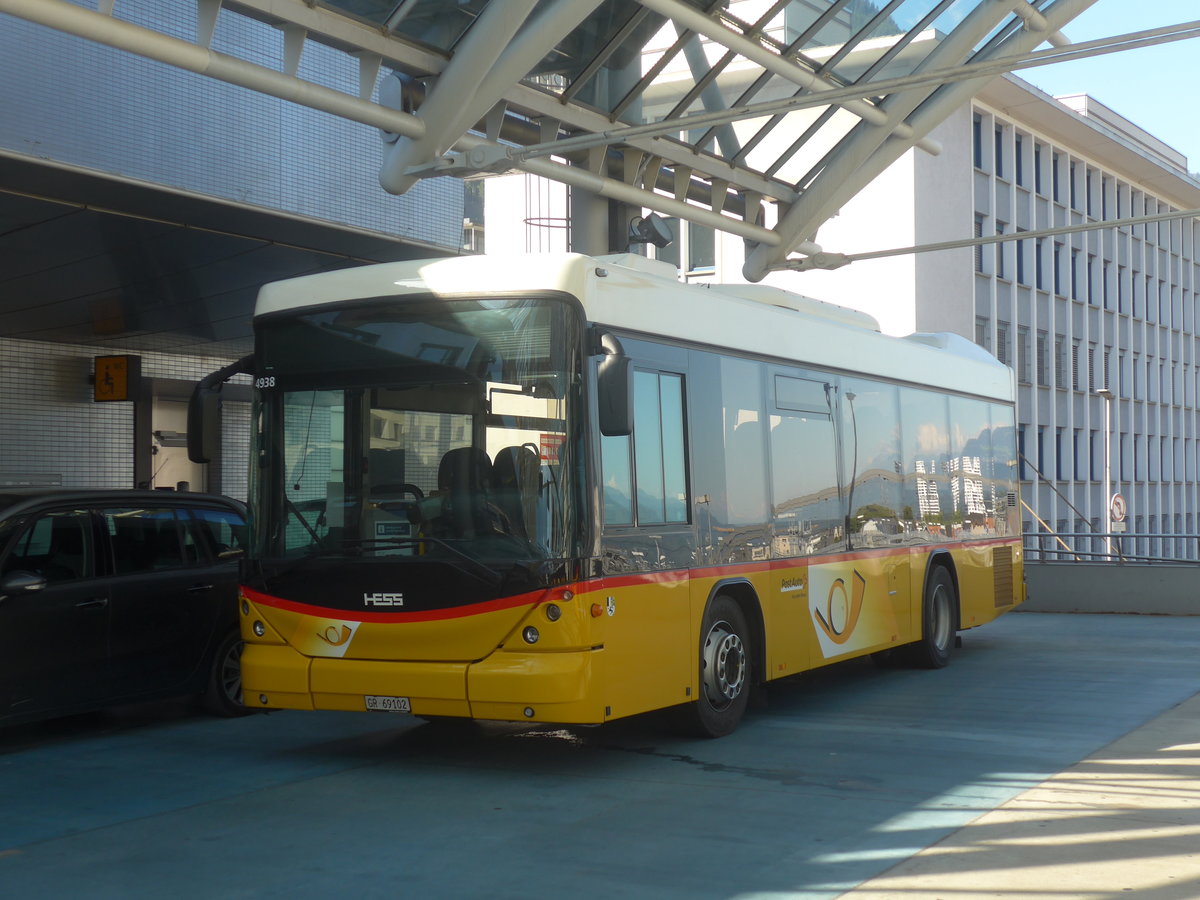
(94, 261)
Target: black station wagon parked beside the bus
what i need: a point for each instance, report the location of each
(118, 597)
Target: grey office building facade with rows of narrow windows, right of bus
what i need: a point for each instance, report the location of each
(1111, 309)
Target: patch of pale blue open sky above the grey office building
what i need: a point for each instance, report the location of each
(1154, 88)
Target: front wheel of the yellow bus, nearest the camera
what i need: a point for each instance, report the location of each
(725, 670)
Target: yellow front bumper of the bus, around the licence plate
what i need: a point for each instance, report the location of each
(557, 687)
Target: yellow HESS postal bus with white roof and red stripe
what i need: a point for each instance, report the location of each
(563, 489)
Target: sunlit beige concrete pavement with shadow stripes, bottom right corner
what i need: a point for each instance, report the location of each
(1124, 823)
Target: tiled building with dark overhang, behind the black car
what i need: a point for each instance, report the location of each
(193, 194)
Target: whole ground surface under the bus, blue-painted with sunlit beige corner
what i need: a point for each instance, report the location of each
(1058, 757)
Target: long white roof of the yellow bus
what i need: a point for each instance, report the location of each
(629, 292)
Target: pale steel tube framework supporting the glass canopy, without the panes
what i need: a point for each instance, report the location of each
(482, 82)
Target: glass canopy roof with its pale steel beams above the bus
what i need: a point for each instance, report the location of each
(760, 118)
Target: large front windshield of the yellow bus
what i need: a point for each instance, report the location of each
(397, 428)
